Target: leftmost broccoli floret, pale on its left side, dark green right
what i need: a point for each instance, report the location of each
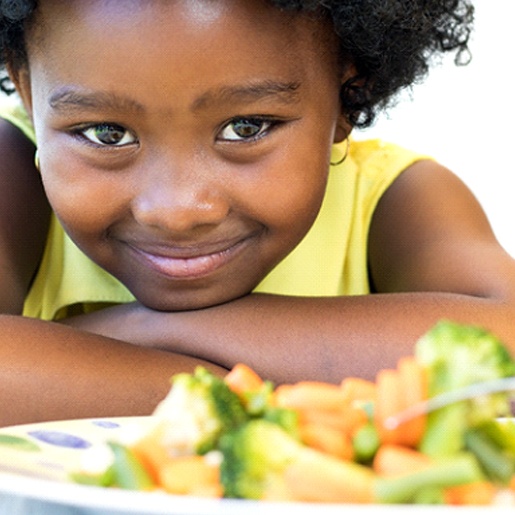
(197, 410)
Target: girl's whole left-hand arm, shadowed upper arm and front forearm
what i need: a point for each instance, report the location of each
(49, 371)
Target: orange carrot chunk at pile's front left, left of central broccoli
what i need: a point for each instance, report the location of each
(191, 475)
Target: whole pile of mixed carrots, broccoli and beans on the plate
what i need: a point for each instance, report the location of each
(241, 437)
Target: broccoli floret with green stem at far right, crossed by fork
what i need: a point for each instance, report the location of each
(457, 356)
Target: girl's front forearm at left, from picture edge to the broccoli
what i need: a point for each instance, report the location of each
(49, 371)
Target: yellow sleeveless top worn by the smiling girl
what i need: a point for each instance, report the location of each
(330, 260)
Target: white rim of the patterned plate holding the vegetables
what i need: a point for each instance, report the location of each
(69, 494)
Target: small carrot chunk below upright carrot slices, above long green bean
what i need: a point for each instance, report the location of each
(393, 460)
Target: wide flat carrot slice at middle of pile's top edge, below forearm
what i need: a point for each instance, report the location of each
(309, 395)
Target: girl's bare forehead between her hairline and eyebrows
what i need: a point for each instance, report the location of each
(178, 50)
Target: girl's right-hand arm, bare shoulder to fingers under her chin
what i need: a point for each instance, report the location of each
(432, 255)
